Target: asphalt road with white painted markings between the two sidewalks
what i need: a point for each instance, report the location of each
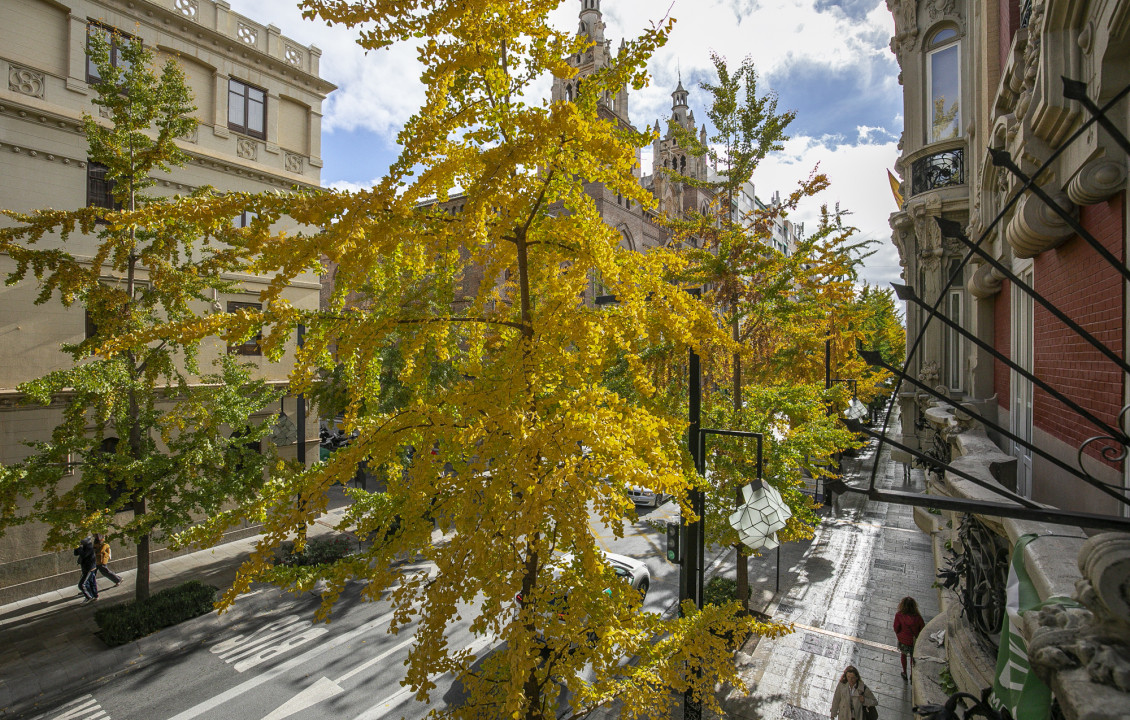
(277, 665)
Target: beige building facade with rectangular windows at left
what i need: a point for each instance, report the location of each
(259, 101)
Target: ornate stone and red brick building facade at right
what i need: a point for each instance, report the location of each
(1016, 328)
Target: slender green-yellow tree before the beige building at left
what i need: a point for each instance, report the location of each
(150, 435)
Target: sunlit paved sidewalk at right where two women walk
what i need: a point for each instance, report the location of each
(841, 596)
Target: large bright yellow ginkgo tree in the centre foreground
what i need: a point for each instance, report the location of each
(511, 450)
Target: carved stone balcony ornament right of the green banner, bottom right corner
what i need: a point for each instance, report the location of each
(1096, 640)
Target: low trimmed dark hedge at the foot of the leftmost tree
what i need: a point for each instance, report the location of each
(124, 623)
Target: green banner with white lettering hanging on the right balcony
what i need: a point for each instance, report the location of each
(1015, 686)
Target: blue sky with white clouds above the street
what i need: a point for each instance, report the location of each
(829, 62)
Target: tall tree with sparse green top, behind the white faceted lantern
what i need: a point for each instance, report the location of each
(771, 303)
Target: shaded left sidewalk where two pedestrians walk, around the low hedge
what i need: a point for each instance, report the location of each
(49, 641)
